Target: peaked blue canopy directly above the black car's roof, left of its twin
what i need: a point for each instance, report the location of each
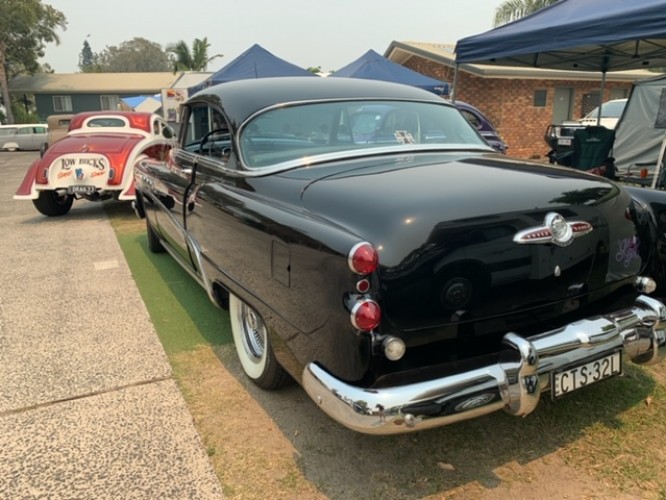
(255, 62)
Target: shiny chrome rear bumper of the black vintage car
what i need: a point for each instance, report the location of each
(513, 384)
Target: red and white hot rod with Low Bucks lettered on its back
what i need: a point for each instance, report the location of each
(95, 159)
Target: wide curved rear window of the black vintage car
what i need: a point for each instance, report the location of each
(305, 132)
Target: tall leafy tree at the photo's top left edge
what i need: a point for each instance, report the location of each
(26, 26)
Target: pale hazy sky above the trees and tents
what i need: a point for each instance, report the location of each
(309, 33)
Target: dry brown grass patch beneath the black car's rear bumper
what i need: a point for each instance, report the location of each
(281, 443)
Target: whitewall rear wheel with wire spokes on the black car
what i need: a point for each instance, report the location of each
(253, 346)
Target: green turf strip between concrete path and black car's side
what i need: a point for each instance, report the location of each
(183, 315)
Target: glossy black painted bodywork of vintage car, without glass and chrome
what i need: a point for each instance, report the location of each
(280, 242)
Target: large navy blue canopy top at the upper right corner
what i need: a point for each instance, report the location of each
(584, 35)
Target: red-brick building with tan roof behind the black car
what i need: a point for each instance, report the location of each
(521, 102)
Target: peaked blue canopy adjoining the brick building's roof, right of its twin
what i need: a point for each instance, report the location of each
(373, 66)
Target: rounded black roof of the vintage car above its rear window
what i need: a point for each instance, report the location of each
(242, 98)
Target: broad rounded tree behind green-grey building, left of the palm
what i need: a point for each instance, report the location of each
(136, 55)
